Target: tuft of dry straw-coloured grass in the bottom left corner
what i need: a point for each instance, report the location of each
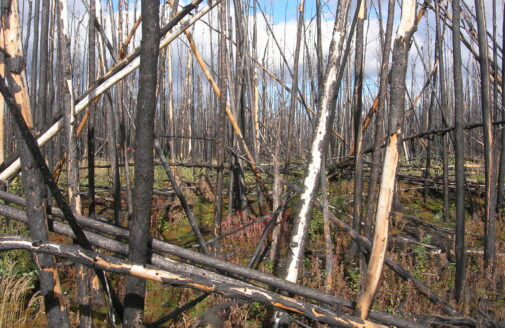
(18, 306)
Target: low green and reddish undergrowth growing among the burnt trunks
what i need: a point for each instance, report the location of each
(169, 223)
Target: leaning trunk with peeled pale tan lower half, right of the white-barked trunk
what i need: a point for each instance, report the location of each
(397, 87)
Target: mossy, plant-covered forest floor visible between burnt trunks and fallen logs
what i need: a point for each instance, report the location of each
(420, 240)
